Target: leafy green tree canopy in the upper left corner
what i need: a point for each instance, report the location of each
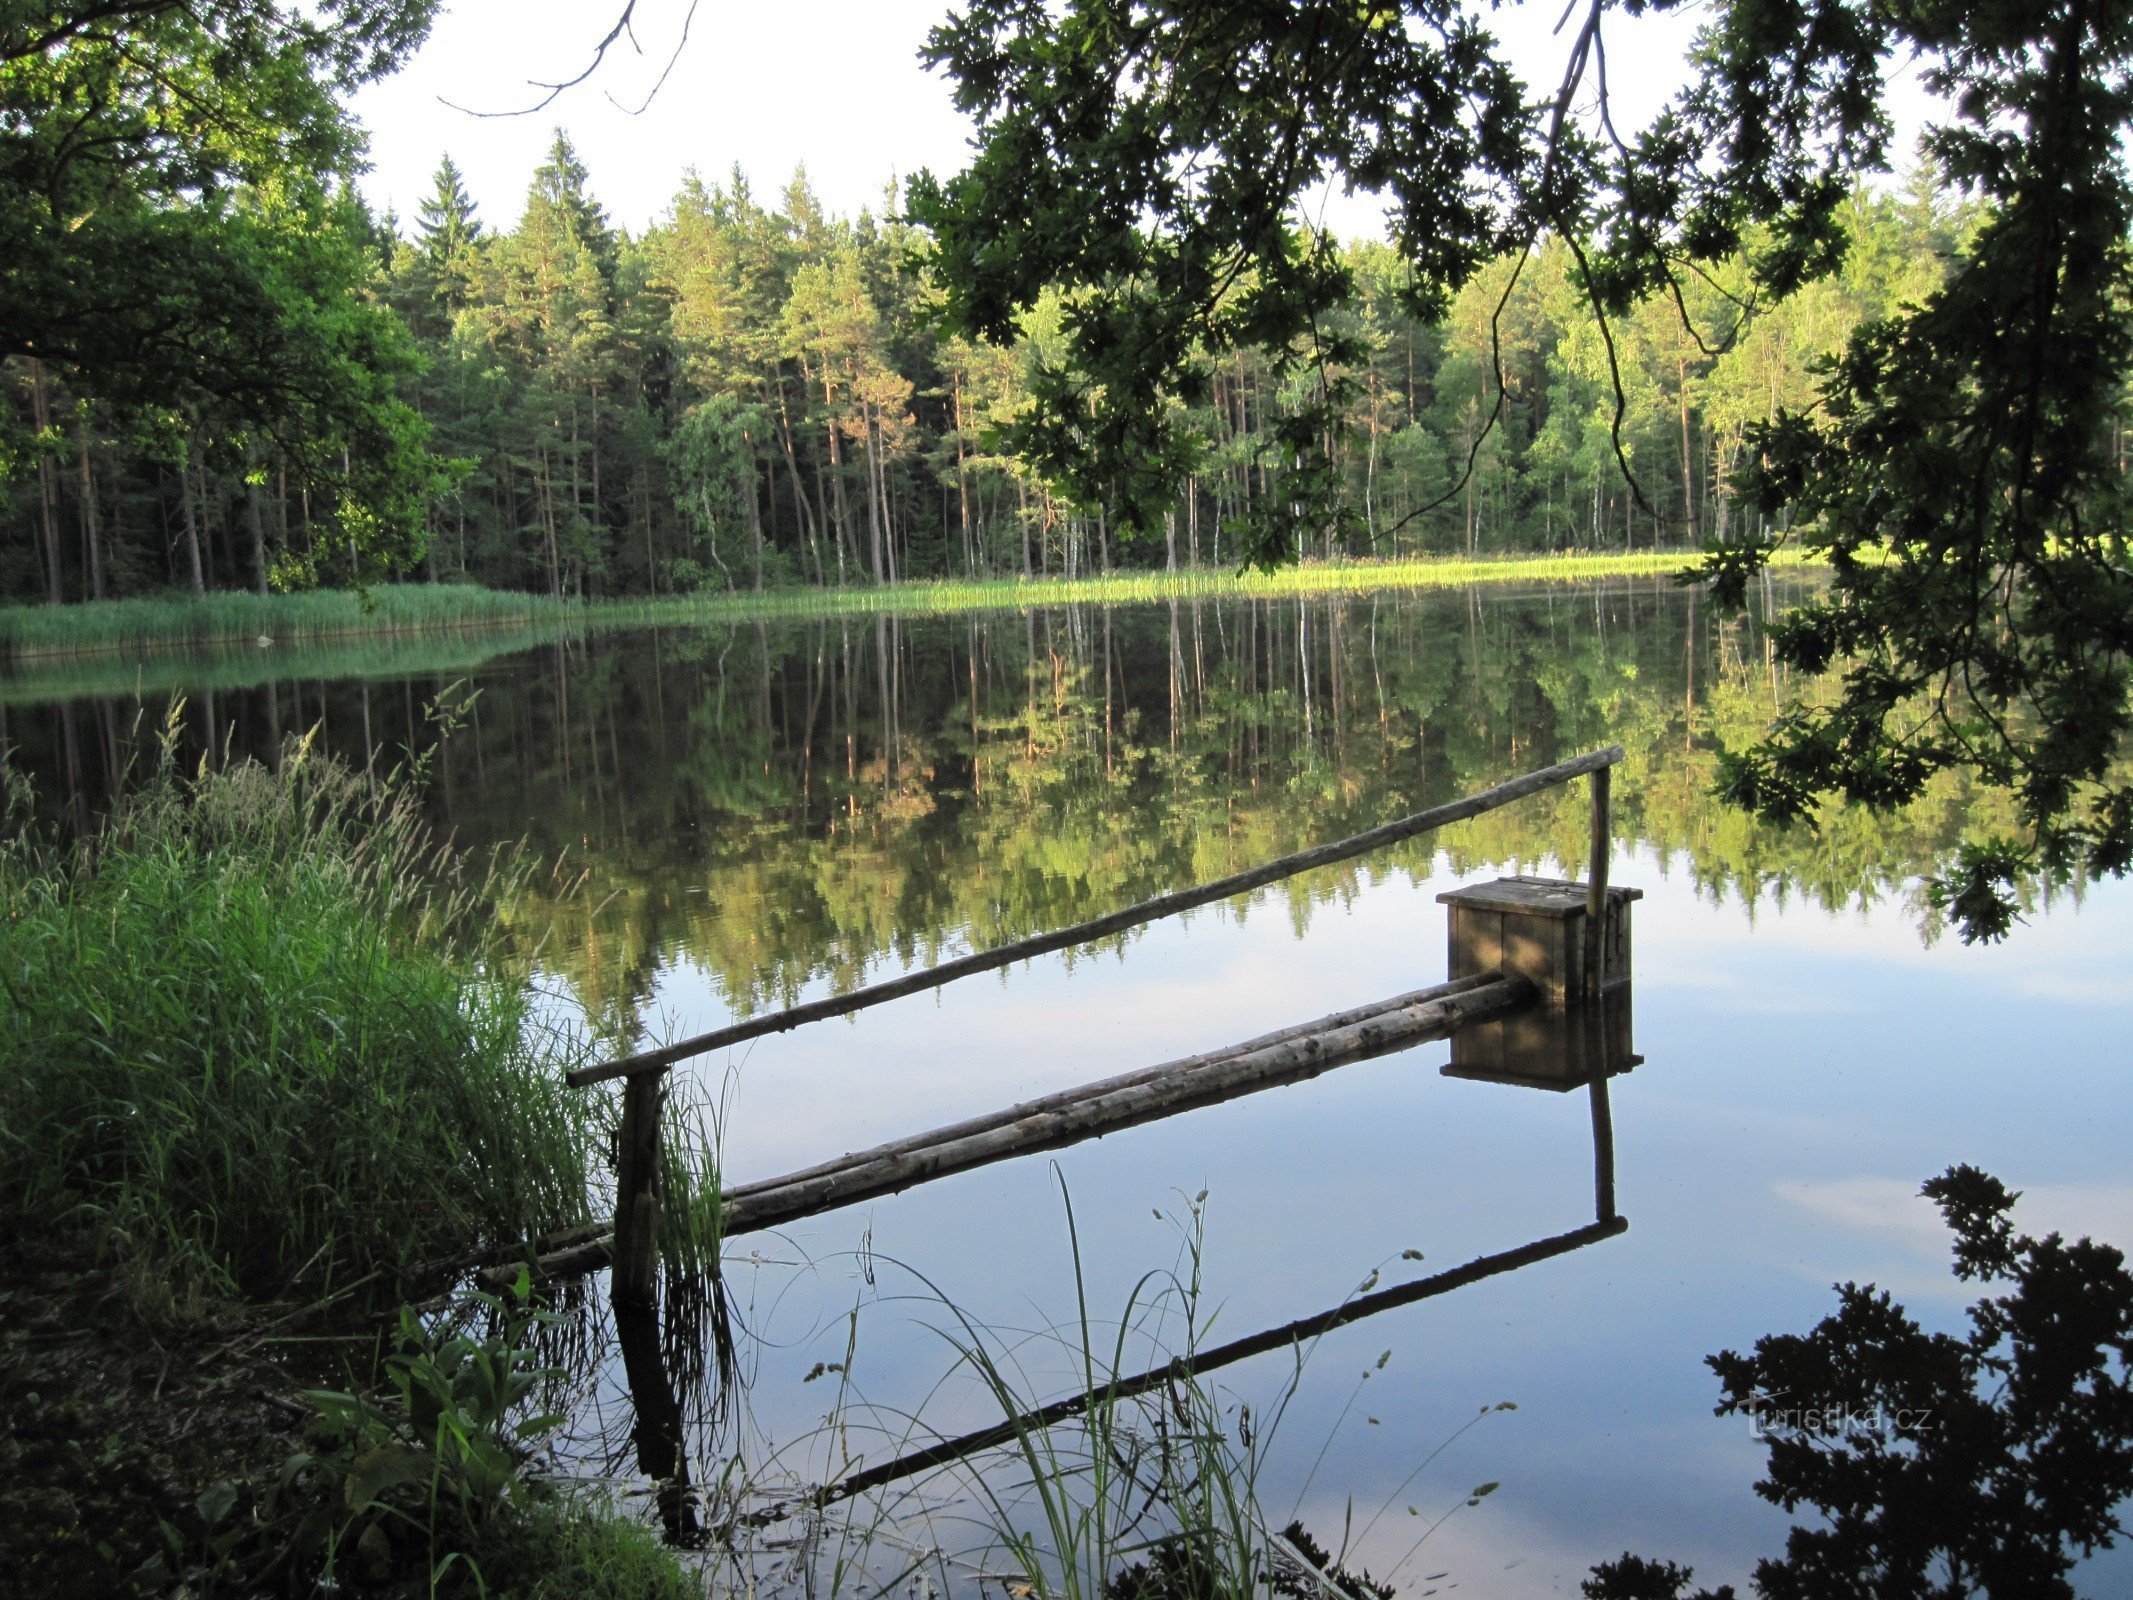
(178, 253)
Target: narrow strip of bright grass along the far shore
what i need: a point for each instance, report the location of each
(310, 620)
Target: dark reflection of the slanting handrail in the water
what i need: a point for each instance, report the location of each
(1274, 1339)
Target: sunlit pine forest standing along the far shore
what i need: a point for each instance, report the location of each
(758, 394)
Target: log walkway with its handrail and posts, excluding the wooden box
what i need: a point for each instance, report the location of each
(1070, 1117)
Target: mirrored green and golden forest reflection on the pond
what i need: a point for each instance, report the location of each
(795, 805)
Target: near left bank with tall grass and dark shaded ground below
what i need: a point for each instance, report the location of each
(266, 1074)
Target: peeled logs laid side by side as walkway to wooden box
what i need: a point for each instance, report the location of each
(1100, 1108)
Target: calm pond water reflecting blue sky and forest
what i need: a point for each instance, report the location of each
(763, 814)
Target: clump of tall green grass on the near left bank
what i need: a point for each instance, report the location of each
(257, 1049)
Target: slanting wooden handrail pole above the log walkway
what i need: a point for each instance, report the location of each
(1136, 916)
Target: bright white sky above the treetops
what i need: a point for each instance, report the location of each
(833, 84)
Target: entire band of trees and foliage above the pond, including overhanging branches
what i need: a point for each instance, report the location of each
(1114, 340)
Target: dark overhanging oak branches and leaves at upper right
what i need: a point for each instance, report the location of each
(1961, 464)
